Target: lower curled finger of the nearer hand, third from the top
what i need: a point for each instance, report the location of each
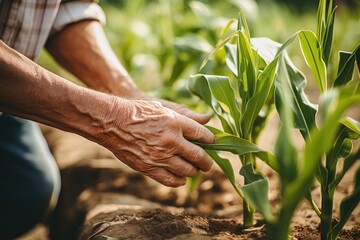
(181, 167)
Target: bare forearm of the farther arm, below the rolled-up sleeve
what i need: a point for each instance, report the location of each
(83, 49)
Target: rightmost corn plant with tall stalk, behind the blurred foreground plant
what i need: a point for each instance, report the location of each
(317, 49)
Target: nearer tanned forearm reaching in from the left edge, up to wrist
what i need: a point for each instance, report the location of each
(29, 91)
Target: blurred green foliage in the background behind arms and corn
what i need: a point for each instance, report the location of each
(162, 42)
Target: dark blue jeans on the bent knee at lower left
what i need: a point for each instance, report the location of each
(29, 177)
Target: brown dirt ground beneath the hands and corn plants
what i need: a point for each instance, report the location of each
(103, 199)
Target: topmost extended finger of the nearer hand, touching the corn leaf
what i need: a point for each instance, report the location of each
(195, 131)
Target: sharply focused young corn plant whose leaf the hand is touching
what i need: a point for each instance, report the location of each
(242, 101)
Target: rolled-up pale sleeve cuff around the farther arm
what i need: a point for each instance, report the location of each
(74, 11)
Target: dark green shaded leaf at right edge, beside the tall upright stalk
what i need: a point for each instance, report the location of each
(346, 66)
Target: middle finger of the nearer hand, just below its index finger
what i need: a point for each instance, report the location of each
(195, 155)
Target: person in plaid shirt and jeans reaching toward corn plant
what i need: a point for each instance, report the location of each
(148, 134)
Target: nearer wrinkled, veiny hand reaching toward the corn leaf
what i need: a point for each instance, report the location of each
(153, 139)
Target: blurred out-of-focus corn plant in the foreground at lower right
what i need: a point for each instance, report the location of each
(296, 171)
